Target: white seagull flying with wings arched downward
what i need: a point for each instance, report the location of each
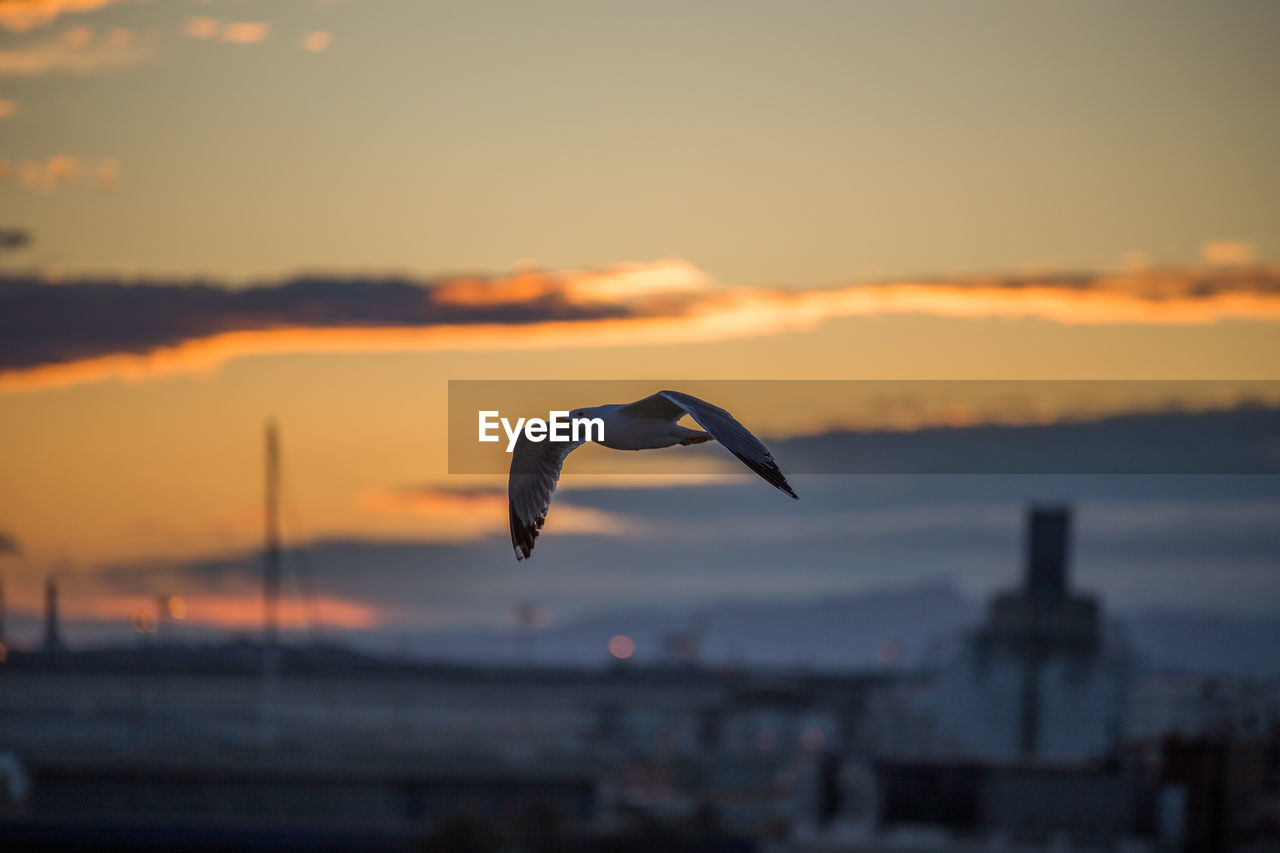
(644, 425)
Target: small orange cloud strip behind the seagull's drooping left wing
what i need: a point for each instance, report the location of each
(465, 517)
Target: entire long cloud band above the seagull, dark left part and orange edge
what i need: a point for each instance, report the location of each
(86, 331)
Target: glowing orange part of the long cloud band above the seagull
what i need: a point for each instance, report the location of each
(650, 305)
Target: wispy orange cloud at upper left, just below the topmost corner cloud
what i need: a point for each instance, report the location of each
(76, 52)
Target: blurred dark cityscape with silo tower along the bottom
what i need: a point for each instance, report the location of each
(1039, 731)
